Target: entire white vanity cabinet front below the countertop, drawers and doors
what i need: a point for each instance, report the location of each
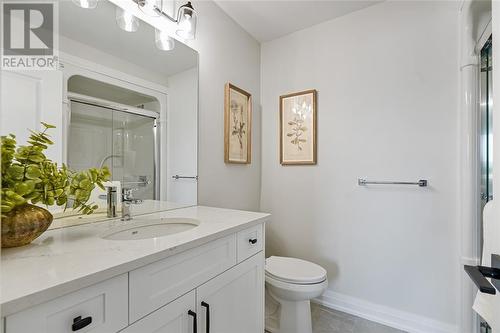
(215, 287)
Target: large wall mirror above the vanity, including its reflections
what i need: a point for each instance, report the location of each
(110, 101)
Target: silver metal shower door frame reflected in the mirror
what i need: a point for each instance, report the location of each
(89, 100)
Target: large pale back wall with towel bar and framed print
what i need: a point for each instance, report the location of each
(387, 81)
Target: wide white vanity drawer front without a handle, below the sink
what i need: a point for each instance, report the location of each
(159, 283)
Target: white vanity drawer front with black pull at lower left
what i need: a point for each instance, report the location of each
(103, 306)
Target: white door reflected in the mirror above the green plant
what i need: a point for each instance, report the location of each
(28, 98)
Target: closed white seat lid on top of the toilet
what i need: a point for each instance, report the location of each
(294, 270)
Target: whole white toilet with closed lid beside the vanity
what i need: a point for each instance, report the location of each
(290, 285)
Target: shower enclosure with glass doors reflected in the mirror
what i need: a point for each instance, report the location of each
(123, 141)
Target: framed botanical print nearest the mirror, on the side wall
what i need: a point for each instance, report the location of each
(237, 125)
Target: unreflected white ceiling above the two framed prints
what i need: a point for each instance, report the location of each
(266, 20)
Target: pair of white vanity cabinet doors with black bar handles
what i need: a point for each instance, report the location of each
(231, 302)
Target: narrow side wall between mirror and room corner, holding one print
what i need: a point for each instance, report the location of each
(227, 54)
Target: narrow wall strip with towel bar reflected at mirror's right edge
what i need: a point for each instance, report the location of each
(182, 138)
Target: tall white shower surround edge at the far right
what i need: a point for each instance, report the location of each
(475, 29)
